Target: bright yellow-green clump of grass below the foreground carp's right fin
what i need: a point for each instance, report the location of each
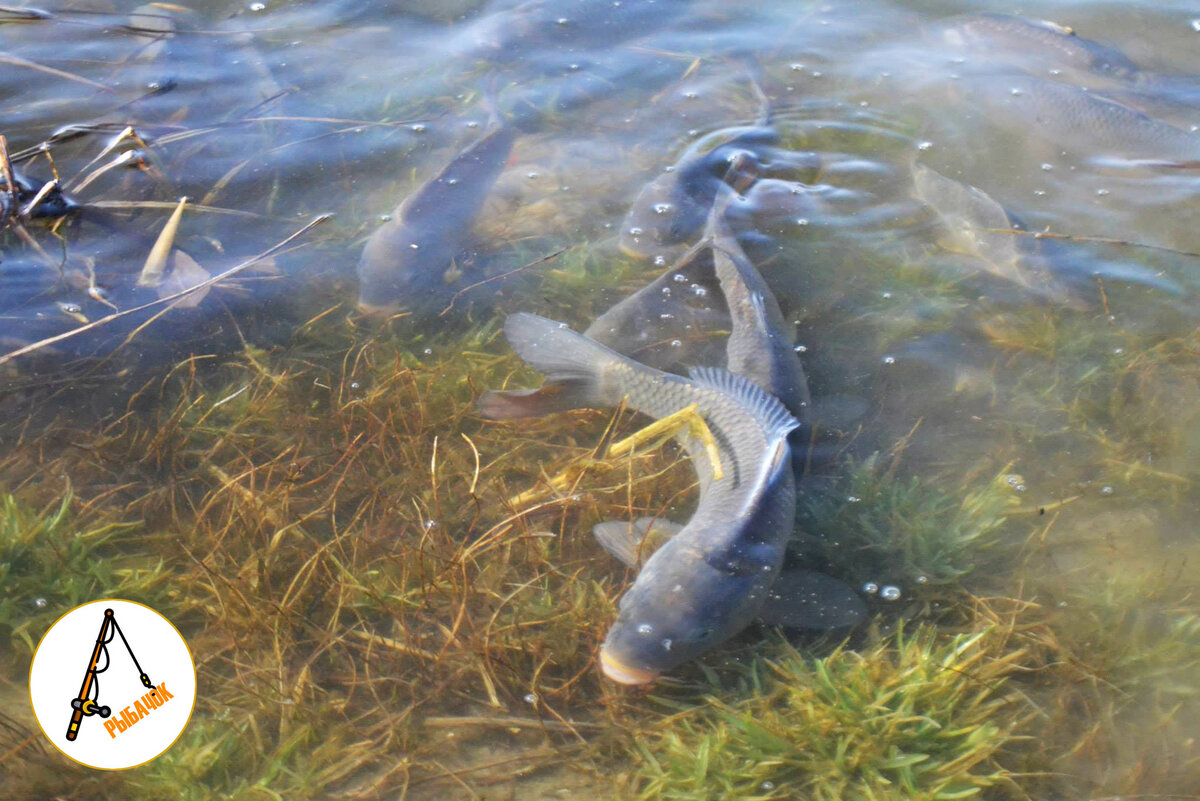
(913, 716)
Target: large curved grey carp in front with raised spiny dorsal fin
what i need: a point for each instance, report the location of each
(712, 579)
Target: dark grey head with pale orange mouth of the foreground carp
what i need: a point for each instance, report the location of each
(681, 606)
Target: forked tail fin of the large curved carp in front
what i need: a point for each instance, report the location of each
(575, 368)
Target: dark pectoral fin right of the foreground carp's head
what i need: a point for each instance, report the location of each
(805, 599)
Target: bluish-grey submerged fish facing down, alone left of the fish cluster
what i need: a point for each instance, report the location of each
(411, 258)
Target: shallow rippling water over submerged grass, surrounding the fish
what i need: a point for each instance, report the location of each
(316, 504)
